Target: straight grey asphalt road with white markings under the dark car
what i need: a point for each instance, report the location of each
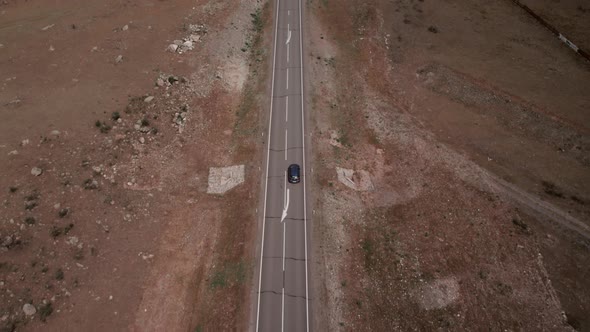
(283, 295)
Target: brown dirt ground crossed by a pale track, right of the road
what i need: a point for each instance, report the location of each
(463, 130)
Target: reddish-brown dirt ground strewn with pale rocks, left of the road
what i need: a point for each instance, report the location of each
(111, 115)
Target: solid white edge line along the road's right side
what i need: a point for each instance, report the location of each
(303, 173)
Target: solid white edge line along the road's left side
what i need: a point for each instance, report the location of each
(274, 54)
